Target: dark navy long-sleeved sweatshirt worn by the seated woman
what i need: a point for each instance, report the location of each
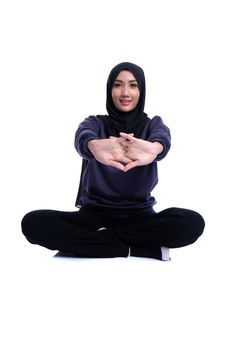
(107, 186)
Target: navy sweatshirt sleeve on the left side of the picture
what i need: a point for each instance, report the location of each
(87, 130)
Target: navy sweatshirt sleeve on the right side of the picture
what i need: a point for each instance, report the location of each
(161, 133)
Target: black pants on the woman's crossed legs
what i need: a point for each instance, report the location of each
(144, 231)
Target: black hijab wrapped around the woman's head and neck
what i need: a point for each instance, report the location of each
(132, 121)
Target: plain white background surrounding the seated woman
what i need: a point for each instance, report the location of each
(55, 59)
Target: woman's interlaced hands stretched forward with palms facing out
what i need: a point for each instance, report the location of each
(124, 152)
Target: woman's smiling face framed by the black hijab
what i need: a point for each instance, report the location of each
(125, 91)
